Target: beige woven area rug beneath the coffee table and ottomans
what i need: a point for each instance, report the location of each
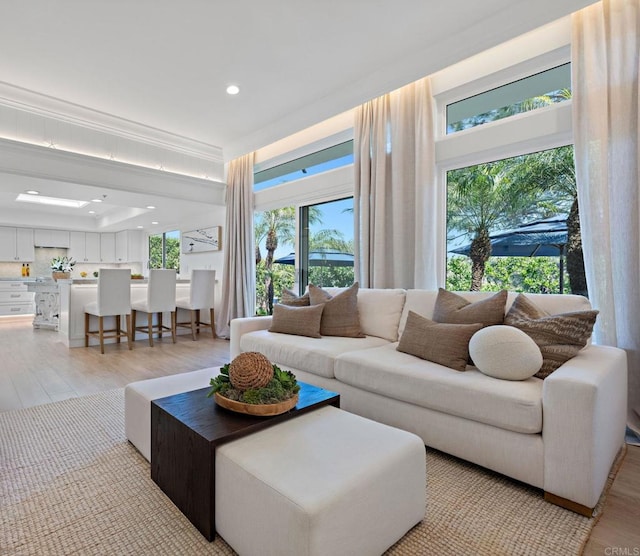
(70, 483)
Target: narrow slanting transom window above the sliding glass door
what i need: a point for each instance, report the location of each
(318, 162)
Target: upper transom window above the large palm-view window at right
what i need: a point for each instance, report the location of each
(542, 89)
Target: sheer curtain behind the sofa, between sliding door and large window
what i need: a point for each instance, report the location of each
(399, 240)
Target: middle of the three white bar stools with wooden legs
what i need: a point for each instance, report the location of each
(161, 297)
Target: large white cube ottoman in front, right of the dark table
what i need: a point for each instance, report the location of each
(327, 482)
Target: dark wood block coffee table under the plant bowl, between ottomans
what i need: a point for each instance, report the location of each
(185, 431)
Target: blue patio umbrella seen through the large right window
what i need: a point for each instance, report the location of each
(542, 238)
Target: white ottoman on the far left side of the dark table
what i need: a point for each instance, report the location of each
(138, 396)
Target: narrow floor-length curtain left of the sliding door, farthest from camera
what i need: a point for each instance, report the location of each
(239, 273)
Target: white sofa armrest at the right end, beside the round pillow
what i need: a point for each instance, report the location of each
(584, 406)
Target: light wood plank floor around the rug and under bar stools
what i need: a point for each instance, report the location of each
(35, 368)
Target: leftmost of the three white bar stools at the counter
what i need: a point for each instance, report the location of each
(113, 300)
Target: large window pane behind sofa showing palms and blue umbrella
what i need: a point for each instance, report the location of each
(510, 222)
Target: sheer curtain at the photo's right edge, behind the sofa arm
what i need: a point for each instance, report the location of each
(605, 62)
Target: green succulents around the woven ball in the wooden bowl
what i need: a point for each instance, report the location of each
(281, 387)
